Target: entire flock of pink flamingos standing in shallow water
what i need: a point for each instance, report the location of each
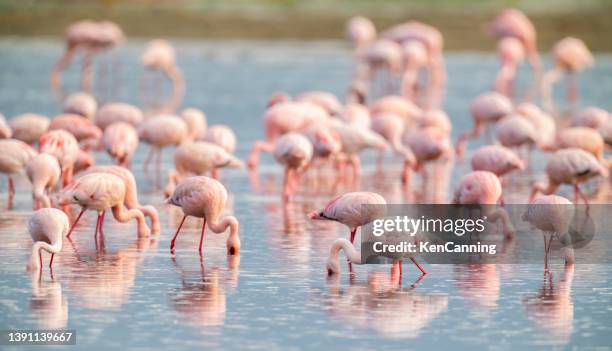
(393, 103)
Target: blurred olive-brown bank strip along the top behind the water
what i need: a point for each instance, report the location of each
(463, 22)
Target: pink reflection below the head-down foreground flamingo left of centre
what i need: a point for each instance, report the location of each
(201, 298)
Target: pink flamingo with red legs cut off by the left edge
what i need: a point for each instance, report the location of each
(14, 158)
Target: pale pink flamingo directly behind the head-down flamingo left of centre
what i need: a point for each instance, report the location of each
(199, 158)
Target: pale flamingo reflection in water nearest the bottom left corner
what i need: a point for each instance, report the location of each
(48, 306)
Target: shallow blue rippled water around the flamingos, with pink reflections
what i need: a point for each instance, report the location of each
(132, 293)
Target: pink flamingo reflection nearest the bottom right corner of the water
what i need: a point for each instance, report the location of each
(552, 308)
